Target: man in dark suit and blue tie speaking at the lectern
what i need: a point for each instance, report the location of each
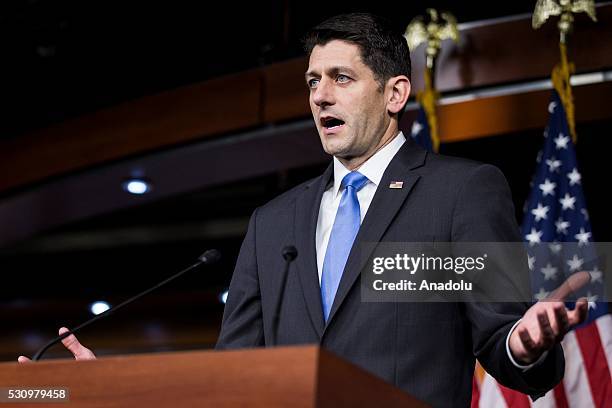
(358, 77)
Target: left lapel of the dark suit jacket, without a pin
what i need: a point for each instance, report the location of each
(306, 216)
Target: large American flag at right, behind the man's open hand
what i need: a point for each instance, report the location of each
(556, 213)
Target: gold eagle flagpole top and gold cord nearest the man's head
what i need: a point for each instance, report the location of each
(431, 31)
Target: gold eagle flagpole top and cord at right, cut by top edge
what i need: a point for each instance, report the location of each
(561, 72)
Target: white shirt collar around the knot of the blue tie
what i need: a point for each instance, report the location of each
(374, 167)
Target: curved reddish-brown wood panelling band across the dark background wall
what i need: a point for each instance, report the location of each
(488, 54)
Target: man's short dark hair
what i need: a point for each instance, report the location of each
(383, 49)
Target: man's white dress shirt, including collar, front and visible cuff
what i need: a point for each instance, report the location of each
(373, 169)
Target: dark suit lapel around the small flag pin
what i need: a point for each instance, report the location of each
(383, 209)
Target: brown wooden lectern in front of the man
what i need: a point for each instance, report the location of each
(305, 376)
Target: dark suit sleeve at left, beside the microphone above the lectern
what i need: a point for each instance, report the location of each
(242, 325)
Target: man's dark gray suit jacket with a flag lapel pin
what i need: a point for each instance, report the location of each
(426, 349)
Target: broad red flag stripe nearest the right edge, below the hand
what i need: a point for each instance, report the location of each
(596, 364)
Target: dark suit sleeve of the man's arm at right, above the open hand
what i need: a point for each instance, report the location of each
(484, 213)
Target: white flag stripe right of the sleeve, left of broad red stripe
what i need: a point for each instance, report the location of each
(575, 381)
